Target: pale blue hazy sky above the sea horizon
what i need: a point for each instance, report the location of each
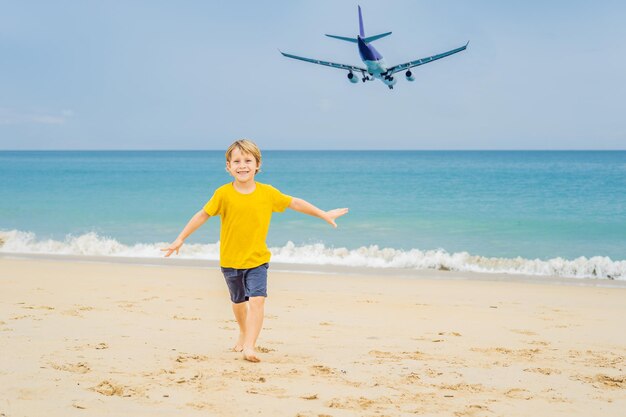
(156, 75)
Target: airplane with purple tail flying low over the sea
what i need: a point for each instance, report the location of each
(373, 60)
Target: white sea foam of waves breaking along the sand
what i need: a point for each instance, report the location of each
(16, 241)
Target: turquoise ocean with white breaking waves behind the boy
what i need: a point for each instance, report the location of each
(556, 213)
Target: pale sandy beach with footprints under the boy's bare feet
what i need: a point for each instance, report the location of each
(97, 339)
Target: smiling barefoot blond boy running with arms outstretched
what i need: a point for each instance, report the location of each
(245, 207)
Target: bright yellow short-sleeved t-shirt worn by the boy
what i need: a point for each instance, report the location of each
(245, 221)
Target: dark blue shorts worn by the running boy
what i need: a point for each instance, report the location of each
(246, 283)
